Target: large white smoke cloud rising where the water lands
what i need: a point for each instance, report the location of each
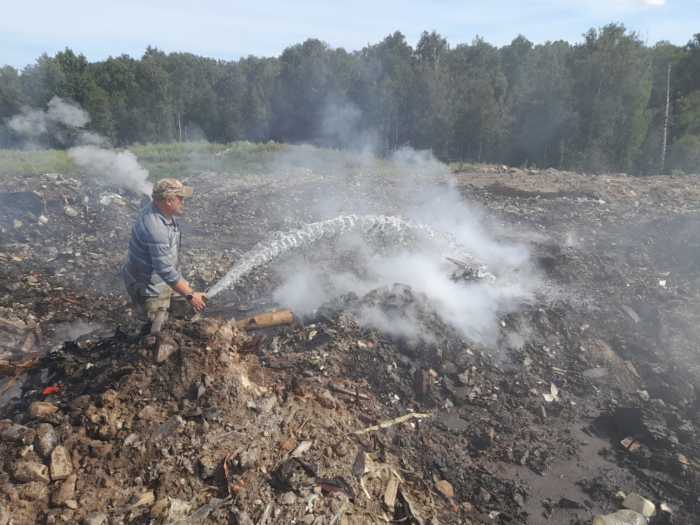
(422, 190)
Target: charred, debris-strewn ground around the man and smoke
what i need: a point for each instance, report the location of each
(262, 428)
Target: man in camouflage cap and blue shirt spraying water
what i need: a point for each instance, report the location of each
(151, 271)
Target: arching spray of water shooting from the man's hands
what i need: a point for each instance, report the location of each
(281, 243)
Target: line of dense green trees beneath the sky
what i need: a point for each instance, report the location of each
(597, 105)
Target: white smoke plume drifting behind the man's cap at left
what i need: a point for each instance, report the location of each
(65, 121)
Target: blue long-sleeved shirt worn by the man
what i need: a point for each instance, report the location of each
(154, 247)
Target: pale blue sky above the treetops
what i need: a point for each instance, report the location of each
(231, 29)
